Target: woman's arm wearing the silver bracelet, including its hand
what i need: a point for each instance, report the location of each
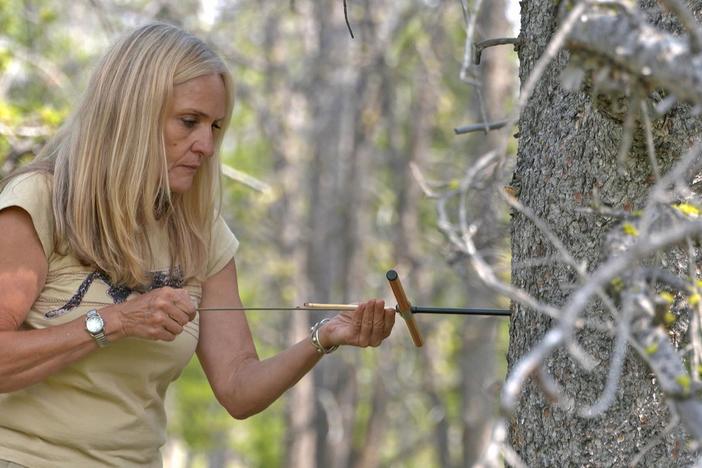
(242, 383)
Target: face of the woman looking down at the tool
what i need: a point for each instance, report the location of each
(193, 119)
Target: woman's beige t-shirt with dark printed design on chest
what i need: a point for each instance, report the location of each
(108, 408)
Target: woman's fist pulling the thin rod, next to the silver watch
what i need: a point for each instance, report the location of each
(160, 314)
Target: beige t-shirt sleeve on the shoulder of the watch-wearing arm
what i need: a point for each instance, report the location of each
(32, 193)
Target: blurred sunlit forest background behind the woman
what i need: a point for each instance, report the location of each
(330, 139)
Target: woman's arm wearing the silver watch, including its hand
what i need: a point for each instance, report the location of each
(29, 356)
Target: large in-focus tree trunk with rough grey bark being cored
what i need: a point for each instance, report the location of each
(567, 154)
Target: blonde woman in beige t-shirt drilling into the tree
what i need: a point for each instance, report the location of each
(111, 241)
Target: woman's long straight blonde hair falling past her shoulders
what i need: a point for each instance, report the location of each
(110, 181)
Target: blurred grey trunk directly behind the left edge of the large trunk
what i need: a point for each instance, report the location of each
(479, 335)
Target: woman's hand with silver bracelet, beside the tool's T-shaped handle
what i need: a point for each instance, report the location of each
(368, 325)
